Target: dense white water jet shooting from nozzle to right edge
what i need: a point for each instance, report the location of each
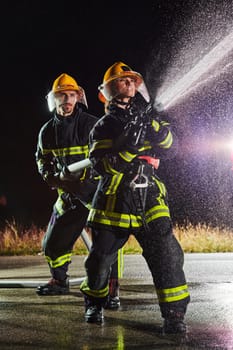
(185, 85)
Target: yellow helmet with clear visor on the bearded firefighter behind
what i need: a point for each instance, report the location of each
(63, 83)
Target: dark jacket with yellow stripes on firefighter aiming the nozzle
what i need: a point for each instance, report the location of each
(117, 143)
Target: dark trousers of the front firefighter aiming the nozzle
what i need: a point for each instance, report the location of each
(162, 253)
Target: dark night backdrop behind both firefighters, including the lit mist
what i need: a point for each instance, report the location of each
(162, 40)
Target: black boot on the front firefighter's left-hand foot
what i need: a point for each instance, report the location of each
(93, 310)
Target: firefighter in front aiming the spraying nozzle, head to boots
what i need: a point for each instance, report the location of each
(125, 146)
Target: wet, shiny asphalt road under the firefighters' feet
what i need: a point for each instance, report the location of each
(28, 321)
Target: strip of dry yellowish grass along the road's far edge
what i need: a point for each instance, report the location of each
(200, 238)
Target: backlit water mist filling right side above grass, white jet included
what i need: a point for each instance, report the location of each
(195, 89)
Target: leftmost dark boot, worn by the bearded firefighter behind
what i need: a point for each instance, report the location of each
(54, 287)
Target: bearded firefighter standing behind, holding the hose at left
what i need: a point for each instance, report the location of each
(62, 141)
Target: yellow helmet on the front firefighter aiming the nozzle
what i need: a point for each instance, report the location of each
(117, 70)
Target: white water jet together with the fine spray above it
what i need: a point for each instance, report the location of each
(204, 41)
